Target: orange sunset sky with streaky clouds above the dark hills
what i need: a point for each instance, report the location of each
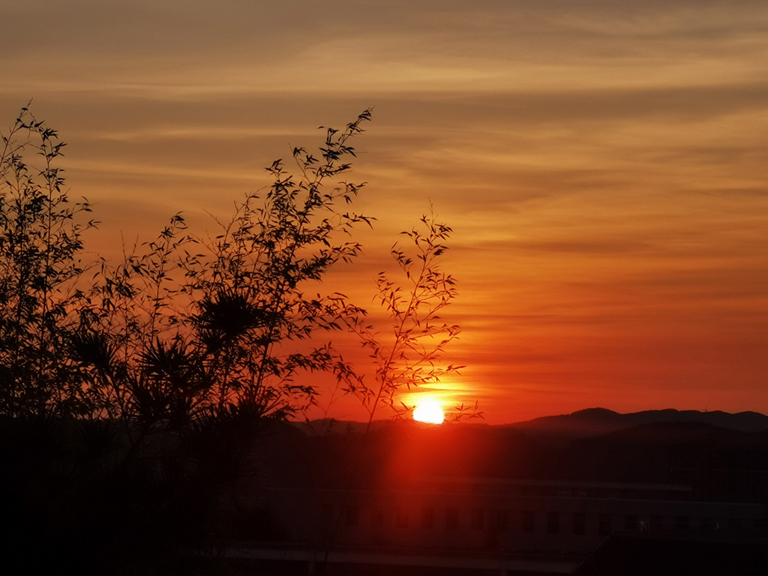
(602, 164)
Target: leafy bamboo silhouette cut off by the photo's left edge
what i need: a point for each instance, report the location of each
(40, 242)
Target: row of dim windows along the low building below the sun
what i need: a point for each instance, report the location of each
(502, 521)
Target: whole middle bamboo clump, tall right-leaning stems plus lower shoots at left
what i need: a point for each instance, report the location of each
(225, 311)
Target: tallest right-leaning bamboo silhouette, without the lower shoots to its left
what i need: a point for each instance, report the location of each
(249, 297)
